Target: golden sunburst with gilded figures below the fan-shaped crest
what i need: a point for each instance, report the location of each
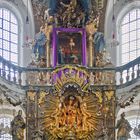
(71, 113)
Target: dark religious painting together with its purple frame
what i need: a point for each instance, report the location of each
(69, 46)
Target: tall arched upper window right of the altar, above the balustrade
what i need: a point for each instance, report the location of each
(130, 36)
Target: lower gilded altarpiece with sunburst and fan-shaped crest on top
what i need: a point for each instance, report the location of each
(71, 109)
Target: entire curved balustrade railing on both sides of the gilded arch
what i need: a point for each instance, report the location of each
(41, 77)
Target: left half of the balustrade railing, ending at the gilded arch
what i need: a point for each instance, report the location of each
(24, 76)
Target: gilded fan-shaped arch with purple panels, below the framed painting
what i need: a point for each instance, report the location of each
(71, 74)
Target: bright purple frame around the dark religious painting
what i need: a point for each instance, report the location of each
(55, 36)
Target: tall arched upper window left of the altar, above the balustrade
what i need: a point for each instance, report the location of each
(8, 36)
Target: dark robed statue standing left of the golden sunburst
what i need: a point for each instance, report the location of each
(17, 127)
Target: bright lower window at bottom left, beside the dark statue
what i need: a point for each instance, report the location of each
(6, 121)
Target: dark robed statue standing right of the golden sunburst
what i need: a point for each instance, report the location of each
(124, 128)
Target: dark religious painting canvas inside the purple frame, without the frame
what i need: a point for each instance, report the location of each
(69, 50)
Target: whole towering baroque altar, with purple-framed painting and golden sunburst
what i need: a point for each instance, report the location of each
(79, 103)
